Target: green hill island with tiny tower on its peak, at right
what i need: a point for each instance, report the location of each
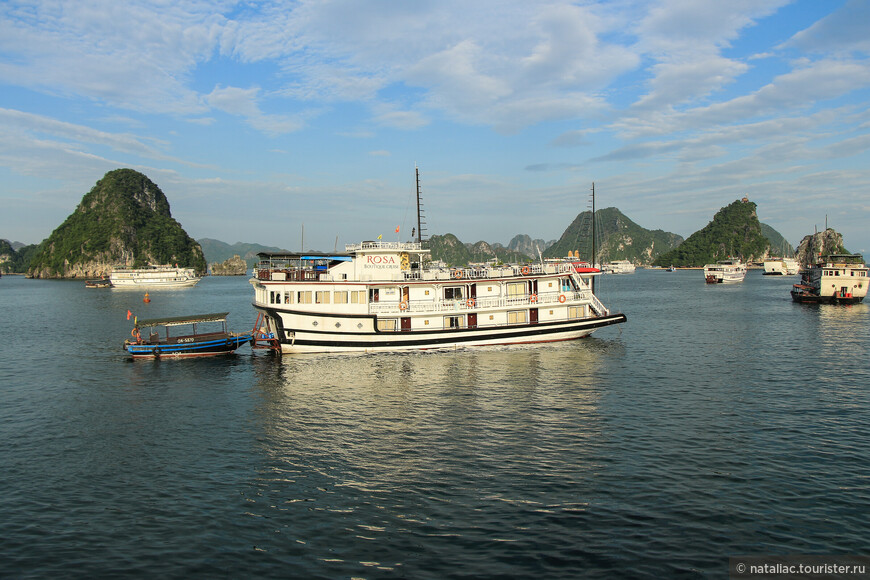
(734, 231)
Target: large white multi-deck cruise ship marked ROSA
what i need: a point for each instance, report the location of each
(384, 296)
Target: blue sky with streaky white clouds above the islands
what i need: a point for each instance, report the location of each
(301, 122)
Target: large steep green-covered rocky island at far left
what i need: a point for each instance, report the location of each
(124, 220)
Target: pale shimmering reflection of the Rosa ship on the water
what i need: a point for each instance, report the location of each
(395, 446)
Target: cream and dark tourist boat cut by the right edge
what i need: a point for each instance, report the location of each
(835, 279)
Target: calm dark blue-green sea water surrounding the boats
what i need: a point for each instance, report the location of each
(718, 421)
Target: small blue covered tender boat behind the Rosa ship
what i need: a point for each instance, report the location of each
(147, 342)
